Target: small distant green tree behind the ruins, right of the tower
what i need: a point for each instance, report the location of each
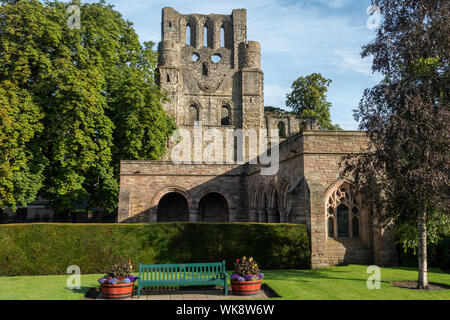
(308, 99)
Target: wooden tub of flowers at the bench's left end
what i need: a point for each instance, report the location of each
(118, 282)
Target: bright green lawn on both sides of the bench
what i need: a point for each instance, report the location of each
(348, 282)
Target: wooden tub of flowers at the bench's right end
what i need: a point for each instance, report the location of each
(246, 278)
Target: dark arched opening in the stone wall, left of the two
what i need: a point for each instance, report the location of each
(173, 207)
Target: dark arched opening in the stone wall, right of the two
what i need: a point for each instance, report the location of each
(213, 207)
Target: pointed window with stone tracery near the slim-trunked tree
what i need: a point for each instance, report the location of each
(343, 214)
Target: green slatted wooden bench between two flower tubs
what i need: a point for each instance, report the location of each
(186, 274)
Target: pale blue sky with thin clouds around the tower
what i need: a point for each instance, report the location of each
(297, 37)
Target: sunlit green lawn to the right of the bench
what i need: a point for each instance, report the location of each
(350, 283)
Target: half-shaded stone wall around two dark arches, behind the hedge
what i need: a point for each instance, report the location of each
(144, 183)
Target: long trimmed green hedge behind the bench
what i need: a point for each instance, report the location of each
(41, 249)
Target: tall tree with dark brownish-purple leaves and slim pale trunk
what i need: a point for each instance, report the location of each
(404, 173)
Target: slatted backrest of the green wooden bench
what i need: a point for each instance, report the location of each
(185, 271)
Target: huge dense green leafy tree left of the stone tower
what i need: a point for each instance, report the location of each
(90, 95)
